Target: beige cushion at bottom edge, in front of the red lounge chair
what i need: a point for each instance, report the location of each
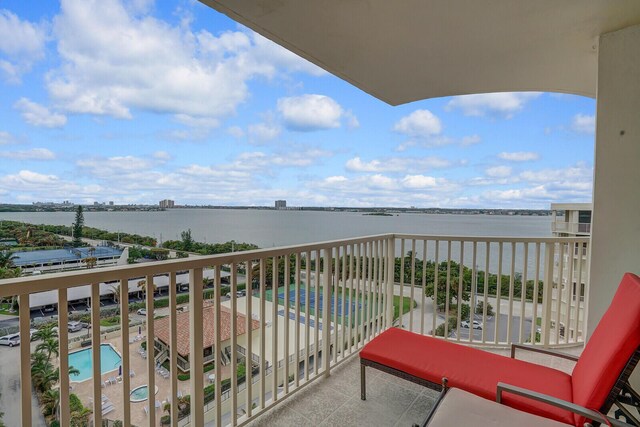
(461, 408)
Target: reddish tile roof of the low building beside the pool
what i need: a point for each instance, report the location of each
(182, 321)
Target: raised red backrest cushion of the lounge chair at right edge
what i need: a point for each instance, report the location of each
(612, 344)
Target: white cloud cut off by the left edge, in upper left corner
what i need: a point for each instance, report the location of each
(21, 45)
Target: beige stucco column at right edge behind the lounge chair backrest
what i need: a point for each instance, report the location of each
(615, 233)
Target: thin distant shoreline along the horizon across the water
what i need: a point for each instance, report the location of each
(382, 211)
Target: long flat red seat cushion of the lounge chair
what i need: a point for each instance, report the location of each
(470, 369)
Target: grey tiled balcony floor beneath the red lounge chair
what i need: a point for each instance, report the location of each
(390, 401)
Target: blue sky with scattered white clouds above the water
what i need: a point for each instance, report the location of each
(138, 101)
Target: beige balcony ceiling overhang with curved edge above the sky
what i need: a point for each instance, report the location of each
(406, 50)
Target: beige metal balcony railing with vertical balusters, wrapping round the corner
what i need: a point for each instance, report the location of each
(315, 306)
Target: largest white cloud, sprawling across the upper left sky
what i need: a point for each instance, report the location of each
(126, 61)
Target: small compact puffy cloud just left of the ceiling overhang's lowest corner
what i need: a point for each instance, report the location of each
(310, 112)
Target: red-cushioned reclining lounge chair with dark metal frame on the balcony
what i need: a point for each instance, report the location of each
(598, 378)
